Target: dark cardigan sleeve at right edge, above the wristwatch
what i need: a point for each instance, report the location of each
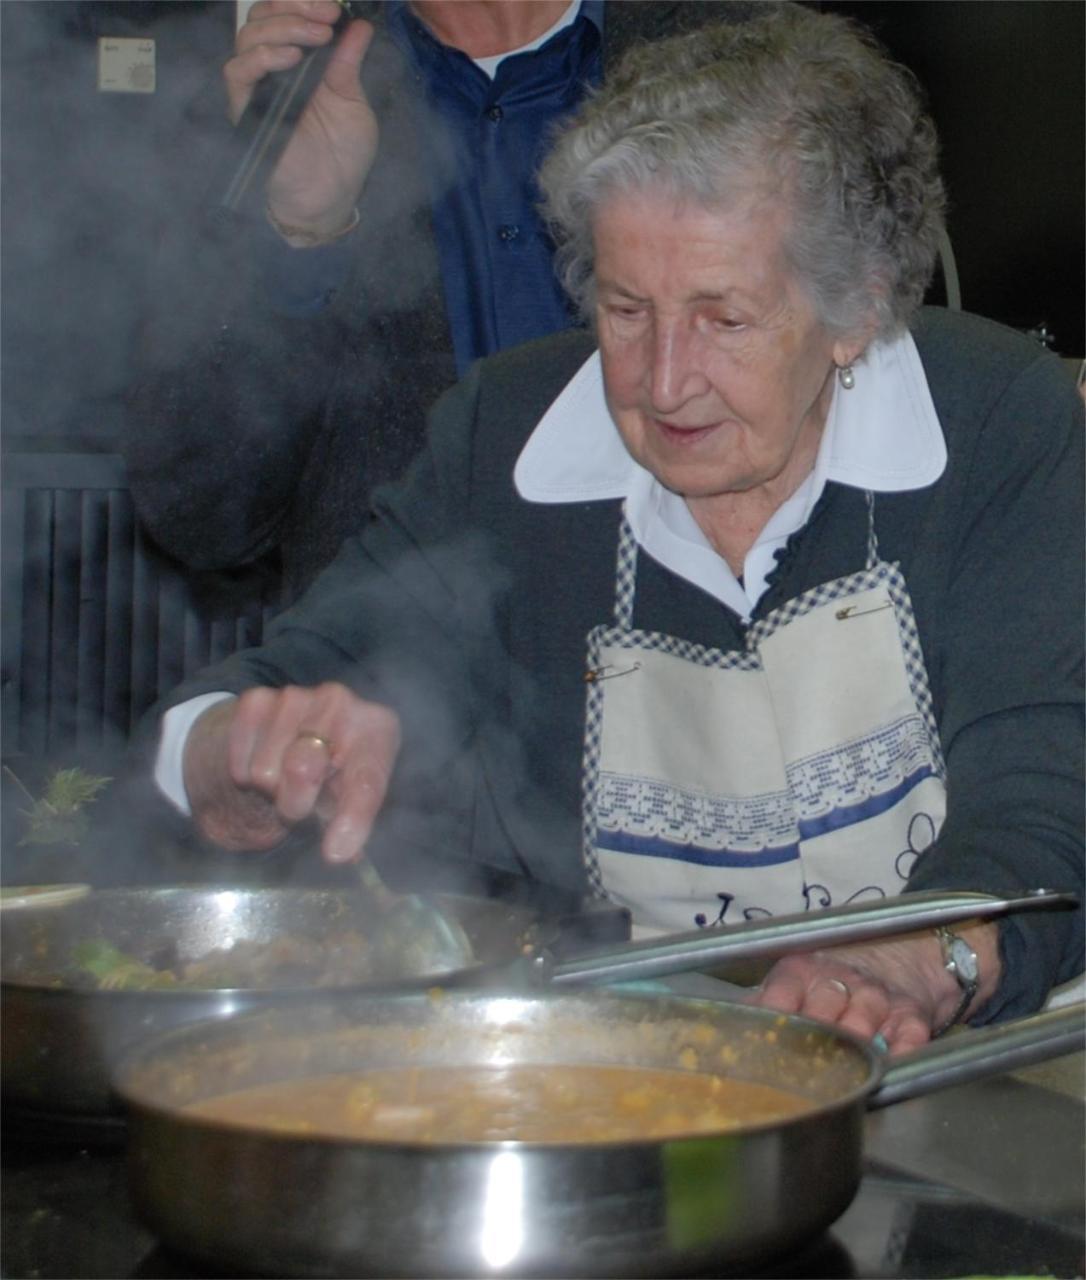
(1011, 669)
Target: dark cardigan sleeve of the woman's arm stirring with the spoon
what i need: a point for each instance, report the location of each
(396, 618)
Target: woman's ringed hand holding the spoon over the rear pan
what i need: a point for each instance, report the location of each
(259, 765)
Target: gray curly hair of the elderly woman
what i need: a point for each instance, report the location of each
(795, 106)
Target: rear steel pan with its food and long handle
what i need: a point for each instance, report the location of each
(89, 980)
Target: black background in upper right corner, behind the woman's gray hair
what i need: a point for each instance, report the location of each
(1006, 89)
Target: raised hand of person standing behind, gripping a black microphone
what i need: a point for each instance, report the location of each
(323, 170)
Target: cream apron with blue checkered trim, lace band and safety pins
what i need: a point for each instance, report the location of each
(798, 772)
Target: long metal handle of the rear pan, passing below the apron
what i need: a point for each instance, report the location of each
(778, 936)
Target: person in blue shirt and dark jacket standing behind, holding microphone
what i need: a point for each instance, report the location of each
(291, 362)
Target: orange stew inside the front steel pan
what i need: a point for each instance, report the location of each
(524, 1104)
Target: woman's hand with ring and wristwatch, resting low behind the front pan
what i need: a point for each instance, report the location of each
(898, 990)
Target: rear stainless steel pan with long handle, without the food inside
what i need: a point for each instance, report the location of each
(61, 1040)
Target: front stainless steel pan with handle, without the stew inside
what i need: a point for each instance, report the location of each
(259, 1201)
